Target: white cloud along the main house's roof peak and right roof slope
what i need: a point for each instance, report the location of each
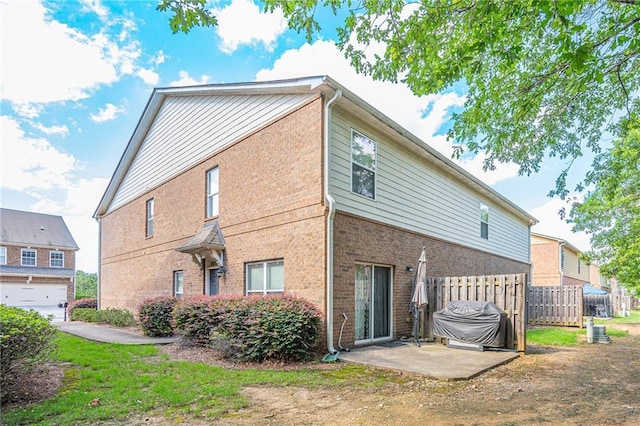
(423, 116)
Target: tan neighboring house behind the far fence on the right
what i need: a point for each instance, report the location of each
(556, 262)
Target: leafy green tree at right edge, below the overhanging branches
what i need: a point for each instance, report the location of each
(611, 212)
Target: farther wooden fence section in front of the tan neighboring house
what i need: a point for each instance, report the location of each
(555, 305)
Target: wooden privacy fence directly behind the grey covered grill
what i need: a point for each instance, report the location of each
(507, 292)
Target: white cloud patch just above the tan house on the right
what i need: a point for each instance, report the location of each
(552, 225)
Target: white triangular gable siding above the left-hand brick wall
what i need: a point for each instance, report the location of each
(189, 129)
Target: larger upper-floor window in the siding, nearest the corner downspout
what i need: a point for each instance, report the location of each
(363, 165)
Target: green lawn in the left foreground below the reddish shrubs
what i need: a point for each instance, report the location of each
(133, 380)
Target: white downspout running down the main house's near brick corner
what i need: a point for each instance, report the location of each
(331, 204)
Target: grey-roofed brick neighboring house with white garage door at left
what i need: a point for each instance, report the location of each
(37, 259)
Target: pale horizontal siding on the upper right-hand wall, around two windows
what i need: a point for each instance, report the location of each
(413, 194)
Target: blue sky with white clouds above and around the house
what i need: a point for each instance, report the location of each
(76, 76)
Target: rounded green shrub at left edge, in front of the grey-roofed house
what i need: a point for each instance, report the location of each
(26, 339)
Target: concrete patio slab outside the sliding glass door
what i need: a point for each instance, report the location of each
(432, 360)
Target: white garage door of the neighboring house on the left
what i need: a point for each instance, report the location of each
(32, 294)
